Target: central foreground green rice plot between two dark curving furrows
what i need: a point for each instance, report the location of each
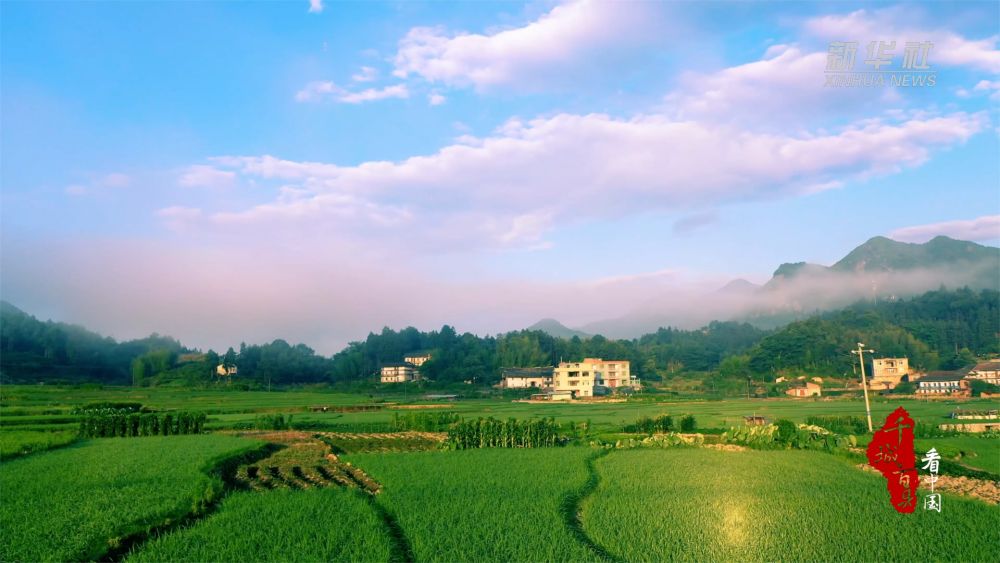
(482, 505)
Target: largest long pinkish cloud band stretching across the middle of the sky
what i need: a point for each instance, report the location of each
(514, 185)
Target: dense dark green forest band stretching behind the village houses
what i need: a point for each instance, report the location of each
(938, 330)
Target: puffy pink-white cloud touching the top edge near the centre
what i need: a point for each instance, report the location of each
(562, 38)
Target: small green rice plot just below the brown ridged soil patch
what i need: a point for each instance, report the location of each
(281, 525)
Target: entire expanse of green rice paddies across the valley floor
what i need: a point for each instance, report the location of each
(170, 499)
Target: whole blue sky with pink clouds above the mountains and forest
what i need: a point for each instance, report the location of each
(315, 170)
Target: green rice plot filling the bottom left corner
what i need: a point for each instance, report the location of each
(81, 501)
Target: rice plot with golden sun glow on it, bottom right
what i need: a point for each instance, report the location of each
(706, 505)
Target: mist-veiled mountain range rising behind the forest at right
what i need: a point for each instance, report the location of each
(881, 269)
